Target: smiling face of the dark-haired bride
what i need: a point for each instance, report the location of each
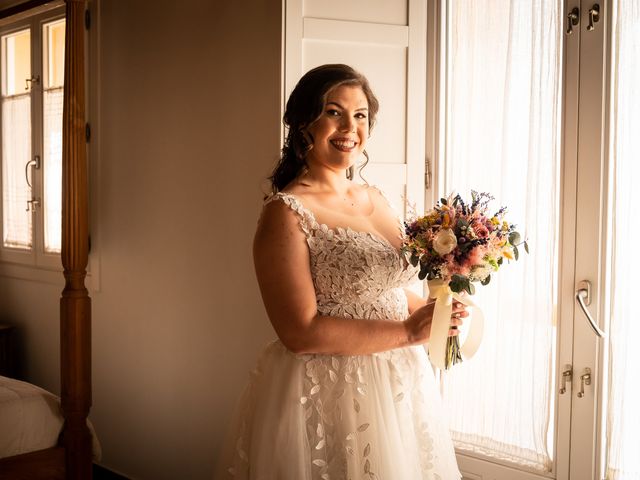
(341, 132)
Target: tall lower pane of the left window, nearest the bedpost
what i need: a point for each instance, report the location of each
(52, 166)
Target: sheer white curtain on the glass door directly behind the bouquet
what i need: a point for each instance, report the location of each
(503, 136)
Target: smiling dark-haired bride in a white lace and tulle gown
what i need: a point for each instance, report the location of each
(345, 392)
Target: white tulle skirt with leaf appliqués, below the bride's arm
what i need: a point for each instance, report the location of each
(331, 417)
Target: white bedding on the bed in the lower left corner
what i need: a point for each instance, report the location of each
(30, 419)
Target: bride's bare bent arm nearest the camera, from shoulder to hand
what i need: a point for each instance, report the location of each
(281, 258)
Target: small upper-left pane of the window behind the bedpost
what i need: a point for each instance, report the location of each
(16, 62)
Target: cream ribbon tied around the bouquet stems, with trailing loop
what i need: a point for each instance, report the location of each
(437, 347)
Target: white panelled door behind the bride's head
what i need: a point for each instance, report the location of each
(384, 40)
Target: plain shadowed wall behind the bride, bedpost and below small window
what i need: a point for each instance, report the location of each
(188, 129)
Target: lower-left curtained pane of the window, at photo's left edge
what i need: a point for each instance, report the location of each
(16, 152)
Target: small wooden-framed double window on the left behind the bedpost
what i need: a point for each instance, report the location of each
(32, 72)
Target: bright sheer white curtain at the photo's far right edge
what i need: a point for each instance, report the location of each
(623, 421)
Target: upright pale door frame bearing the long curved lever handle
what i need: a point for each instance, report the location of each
(590, 261)
